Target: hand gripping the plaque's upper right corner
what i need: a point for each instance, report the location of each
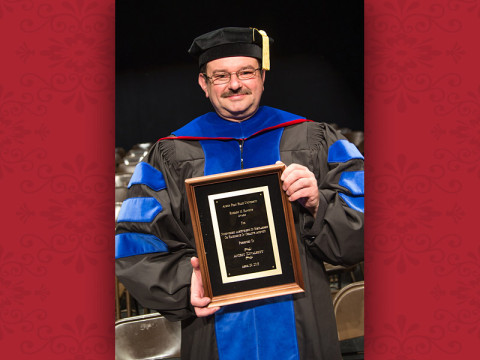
(300, 184)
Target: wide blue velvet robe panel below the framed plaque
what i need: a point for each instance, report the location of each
(257, 330)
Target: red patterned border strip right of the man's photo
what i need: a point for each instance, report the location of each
(423, 150)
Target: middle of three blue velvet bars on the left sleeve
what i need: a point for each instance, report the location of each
(139, 209)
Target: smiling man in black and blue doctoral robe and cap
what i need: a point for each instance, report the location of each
(155, 247)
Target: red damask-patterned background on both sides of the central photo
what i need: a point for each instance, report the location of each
(422, 126)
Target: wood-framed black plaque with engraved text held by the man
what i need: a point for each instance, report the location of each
(245, 235)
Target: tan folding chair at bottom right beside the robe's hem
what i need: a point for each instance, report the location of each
(348, 306)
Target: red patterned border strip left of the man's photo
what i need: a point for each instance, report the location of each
(56, 171)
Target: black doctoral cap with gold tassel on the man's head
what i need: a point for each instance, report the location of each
(232, 41)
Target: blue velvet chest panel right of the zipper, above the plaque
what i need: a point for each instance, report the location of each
(262, 150)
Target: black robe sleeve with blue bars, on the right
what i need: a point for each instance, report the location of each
(336, 234)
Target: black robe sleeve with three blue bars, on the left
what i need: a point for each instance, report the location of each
(158, 275)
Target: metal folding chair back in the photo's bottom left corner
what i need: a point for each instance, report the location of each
(147, 337)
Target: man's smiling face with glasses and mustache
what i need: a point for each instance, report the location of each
(236, 100)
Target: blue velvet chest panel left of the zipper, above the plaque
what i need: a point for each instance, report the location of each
(221, 156)
